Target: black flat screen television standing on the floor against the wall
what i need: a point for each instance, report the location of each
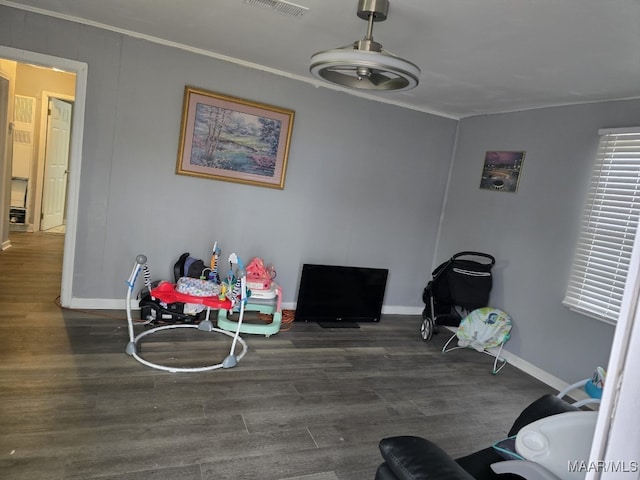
(331, 294)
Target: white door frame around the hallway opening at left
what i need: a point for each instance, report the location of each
(75, 154)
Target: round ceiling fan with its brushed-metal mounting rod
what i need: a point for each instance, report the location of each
(365, 65)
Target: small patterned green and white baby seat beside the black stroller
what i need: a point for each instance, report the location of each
(483, 329)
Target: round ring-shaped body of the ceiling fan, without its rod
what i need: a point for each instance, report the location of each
(345, 67)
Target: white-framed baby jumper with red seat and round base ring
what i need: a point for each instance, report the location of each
(207, 294)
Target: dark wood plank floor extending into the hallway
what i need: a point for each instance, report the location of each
(306, 404)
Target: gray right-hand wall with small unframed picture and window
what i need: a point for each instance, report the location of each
(532, 233)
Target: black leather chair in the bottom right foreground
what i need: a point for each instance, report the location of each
(415, 458)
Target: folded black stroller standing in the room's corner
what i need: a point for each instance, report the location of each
(458, 286)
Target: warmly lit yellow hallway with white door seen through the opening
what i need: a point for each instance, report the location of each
(43, 106)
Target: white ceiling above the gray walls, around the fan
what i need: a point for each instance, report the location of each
(476, 56)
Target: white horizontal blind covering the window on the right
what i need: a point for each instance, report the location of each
(609, 224)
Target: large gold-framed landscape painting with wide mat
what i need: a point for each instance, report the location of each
(235, 140)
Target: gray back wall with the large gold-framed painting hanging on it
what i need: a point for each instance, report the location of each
(364, 186)
